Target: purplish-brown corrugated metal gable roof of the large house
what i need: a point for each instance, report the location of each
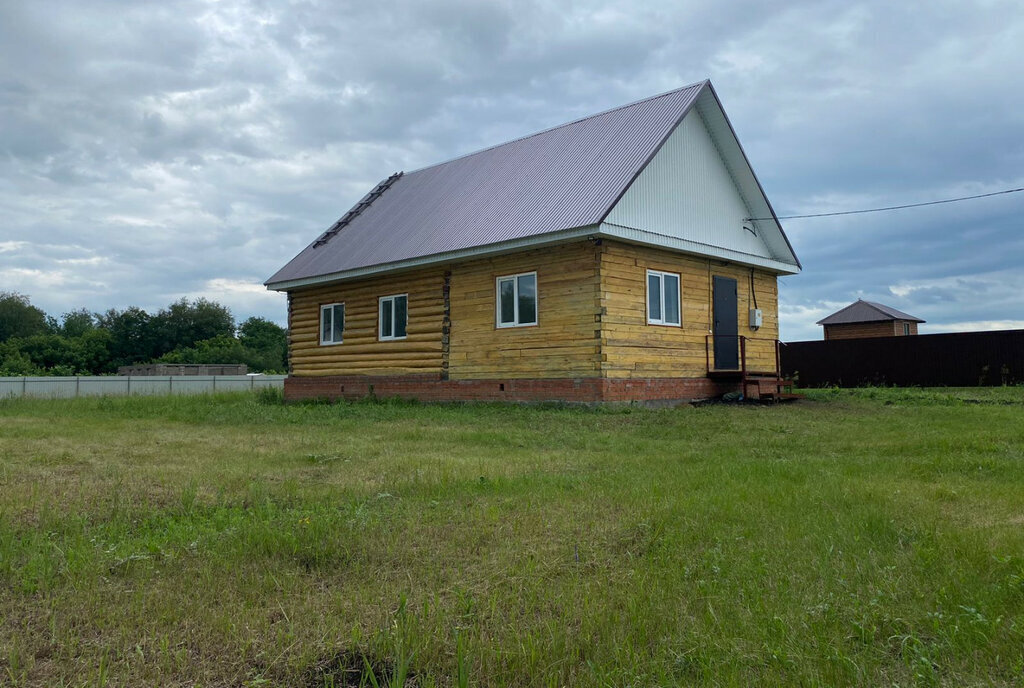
(553, 186)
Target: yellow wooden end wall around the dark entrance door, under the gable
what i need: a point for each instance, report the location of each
(631, 349)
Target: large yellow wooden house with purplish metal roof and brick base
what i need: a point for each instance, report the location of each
(627, 256)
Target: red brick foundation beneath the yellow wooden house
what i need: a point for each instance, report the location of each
(654, 392)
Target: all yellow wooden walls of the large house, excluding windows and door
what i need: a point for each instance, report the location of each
(591, 319)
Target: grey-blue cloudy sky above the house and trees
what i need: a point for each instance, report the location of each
(155, 151)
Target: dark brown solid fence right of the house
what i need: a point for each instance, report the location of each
(961, 360)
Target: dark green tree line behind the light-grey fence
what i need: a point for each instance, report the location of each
(87, 343)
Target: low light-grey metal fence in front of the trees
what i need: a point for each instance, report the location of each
(71, 388)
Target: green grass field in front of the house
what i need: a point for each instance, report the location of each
(859, 538)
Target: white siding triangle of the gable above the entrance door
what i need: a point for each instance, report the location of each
(688, 193)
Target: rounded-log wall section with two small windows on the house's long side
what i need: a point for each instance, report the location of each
(361, 353)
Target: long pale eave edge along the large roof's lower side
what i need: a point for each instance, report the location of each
(439, 259)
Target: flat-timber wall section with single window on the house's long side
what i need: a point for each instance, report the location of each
(564, 345)
